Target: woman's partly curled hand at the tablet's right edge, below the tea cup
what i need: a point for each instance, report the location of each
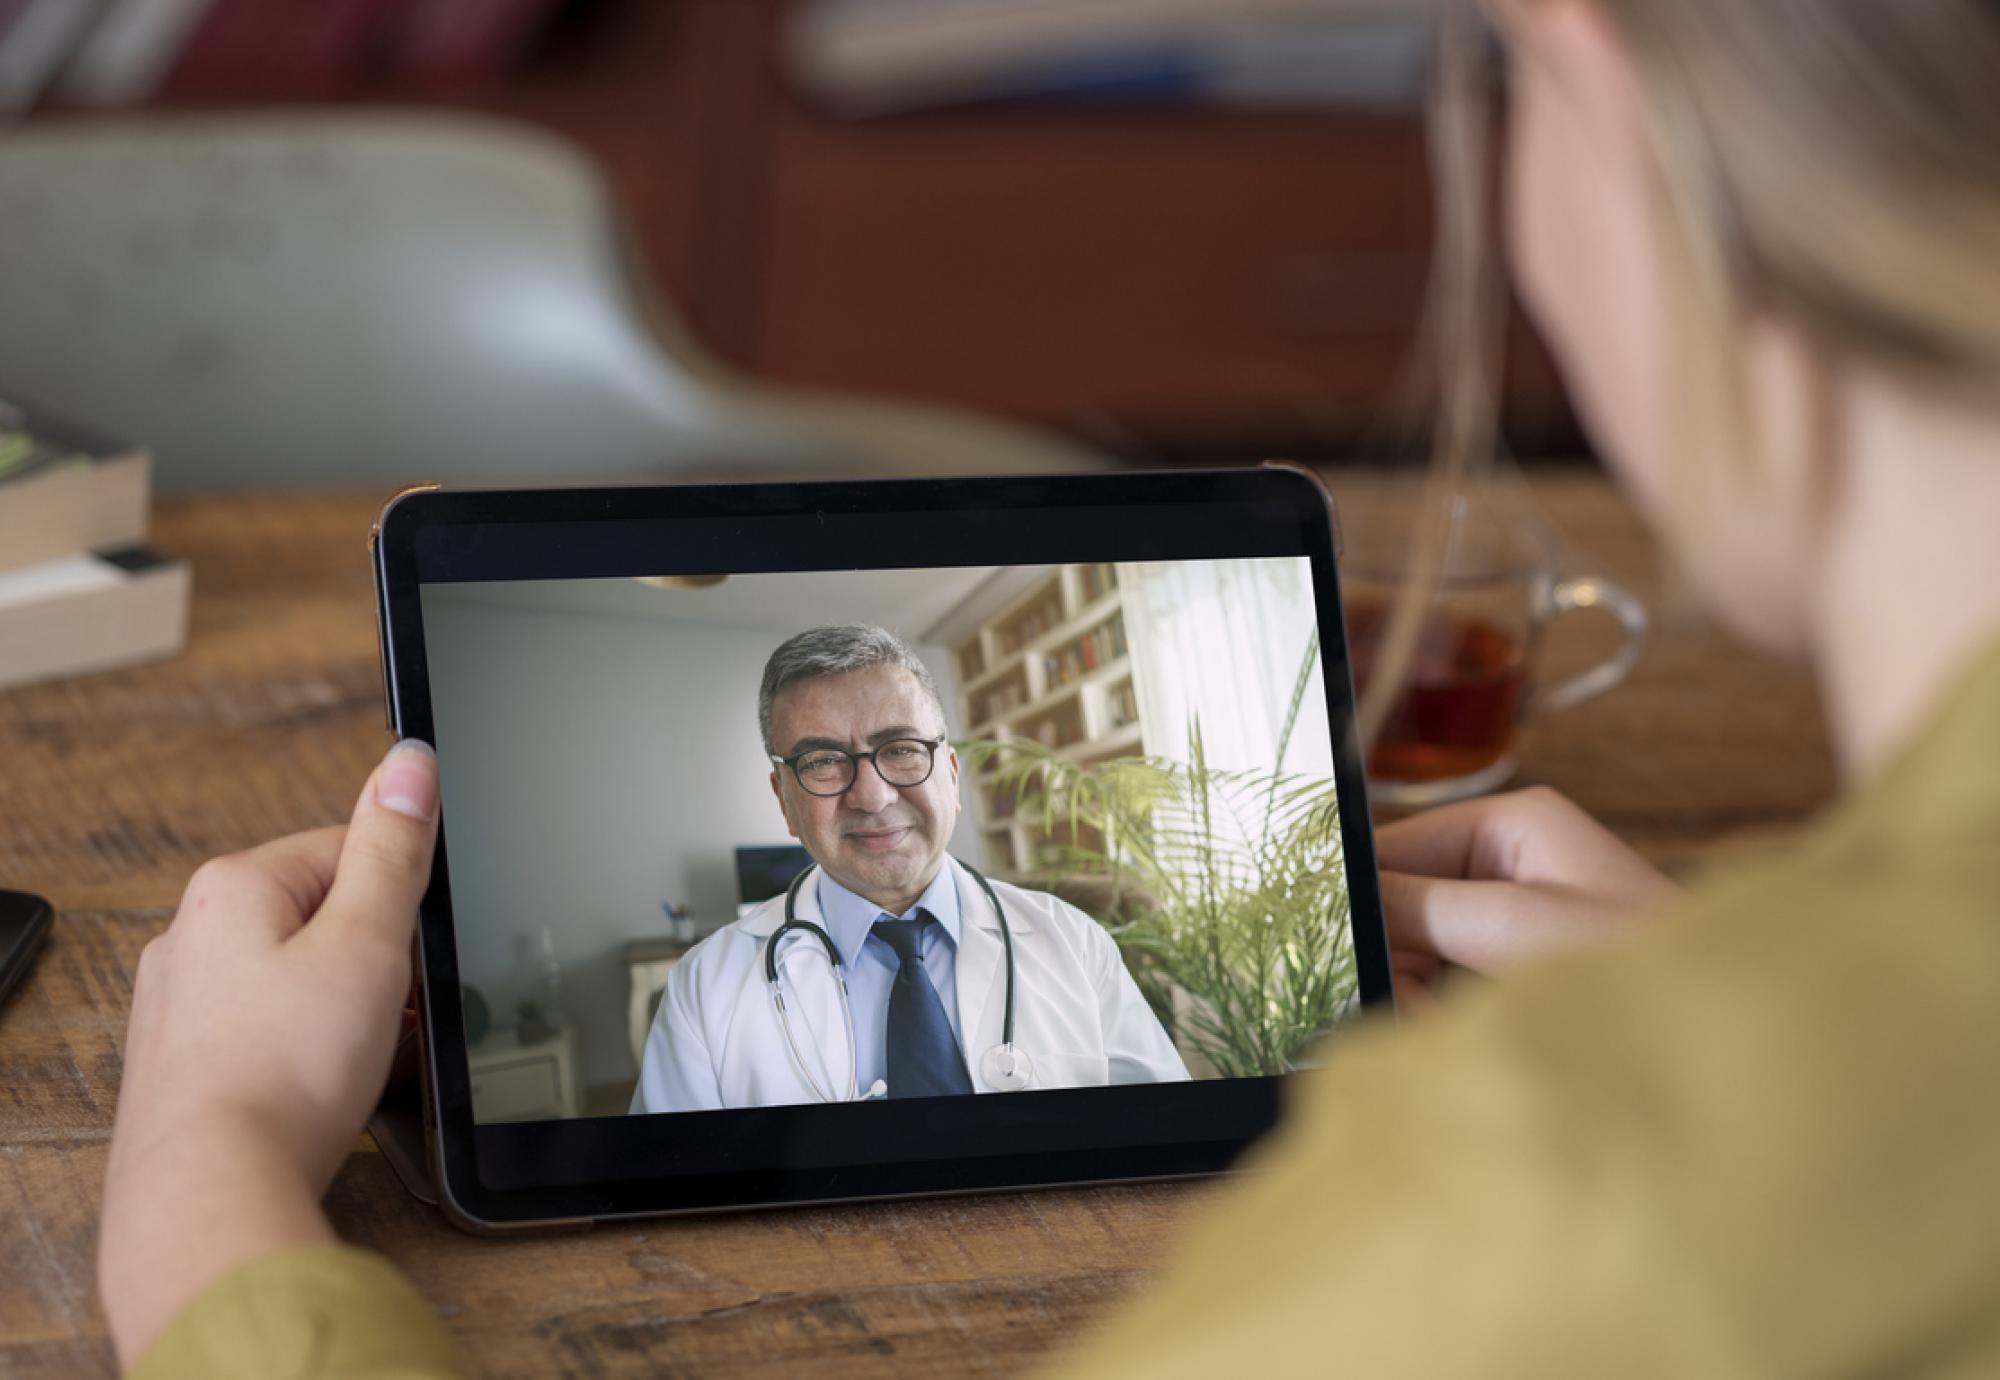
(1495, 883)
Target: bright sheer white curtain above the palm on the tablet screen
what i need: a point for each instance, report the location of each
(1225, 641)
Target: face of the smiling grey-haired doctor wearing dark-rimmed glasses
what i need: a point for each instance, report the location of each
(879, 841)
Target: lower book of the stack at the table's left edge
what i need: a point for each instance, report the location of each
(91, 611)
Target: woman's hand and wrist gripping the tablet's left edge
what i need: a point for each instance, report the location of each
(263, 1029)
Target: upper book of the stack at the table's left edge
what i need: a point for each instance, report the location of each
(65, 489)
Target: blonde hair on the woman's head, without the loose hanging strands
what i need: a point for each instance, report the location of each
(1837, 161)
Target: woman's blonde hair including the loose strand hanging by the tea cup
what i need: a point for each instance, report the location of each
(1833, 163)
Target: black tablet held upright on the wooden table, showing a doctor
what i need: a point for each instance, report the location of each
(875, 839)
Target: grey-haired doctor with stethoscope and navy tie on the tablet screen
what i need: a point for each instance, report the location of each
(891, 969)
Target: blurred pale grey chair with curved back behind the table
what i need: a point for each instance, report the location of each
(377, 299)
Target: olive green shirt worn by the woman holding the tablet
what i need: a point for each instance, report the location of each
(1759, 1141)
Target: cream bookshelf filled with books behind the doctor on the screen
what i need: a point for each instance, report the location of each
(1053, 667)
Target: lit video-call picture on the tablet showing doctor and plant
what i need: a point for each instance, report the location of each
(741, 841)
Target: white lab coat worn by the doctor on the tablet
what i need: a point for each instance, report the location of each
(1079, 1017)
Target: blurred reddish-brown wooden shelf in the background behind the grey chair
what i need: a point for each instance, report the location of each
(1159, 275)
